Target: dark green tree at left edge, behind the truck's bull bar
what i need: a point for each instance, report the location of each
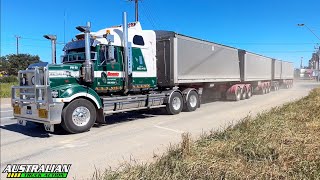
(12, 63)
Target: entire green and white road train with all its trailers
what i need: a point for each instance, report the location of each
(124, 68)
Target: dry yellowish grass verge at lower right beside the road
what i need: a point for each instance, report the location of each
(283, 143)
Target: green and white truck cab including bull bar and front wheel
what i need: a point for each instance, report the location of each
(60, 93)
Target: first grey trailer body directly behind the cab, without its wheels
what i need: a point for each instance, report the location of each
(186, 60)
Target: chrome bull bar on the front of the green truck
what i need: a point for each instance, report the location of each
(32, 99)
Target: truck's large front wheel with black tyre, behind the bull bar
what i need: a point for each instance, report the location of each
(78, 116)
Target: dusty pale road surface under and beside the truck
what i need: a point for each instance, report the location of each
(128, 137)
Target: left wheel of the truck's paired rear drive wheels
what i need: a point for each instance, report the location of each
(176, 104)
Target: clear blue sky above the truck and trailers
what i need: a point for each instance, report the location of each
(267, 27)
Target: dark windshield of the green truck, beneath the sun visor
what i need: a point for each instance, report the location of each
(77, 55)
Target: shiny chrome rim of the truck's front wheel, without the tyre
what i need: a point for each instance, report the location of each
(81, 116)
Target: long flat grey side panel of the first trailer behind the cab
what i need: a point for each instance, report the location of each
(200, 61)
